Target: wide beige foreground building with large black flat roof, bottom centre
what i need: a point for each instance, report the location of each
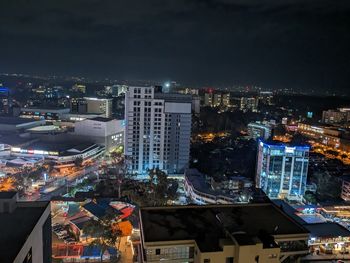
(220, 233)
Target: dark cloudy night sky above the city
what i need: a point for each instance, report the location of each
(281, 43)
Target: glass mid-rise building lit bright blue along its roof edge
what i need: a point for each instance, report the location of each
(281, 171)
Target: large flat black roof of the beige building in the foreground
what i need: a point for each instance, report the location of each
(207, 224)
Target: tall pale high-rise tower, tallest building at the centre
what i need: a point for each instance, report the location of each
(158, 130)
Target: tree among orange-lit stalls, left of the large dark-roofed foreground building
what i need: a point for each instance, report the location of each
(104, 231)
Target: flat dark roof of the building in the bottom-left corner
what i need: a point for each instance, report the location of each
(15, 227)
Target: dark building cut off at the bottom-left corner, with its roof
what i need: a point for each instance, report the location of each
(25, 229)
